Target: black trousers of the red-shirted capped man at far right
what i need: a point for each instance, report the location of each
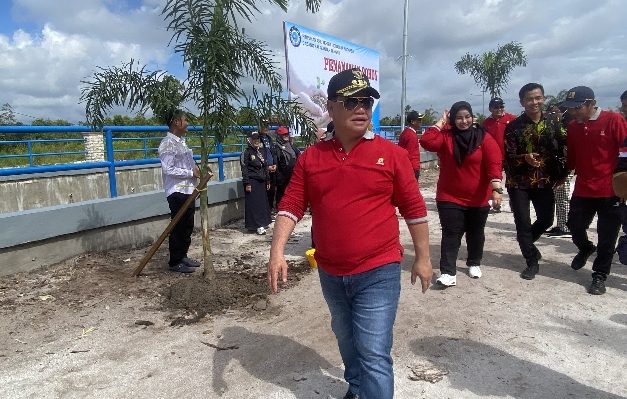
(582, 211)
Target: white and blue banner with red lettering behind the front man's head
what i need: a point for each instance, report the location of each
(313, 58)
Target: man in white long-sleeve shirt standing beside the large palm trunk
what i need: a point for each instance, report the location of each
(180, 174)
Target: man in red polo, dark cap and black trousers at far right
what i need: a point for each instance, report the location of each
(594, 138)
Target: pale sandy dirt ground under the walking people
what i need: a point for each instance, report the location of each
(86, 329)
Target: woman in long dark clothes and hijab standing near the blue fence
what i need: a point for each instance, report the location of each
(256, 182)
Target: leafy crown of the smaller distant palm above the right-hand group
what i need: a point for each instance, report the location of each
(491, 69)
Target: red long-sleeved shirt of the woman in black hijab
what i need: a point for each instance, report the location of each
(468, 184)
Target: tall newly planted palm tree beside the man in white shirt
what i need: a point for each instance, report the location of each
(217, 54)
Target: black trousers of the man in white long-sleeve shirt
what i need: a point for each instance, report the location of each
(181, 236)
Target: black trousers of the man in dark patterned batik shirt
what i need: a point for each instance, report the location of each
(543, 201)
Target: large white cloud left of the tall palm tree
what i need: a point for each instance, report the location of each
(41, 72)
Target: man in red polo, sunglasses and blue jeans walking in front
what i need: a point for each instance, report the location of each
(353, 182)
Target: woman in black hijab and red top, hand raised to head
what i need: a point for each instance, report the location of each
(470, 175)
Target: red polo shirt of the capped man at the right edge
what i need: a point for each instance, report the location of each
(592, 149)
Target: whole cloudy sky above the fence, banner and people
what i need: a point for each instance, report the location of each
(47, 47)
